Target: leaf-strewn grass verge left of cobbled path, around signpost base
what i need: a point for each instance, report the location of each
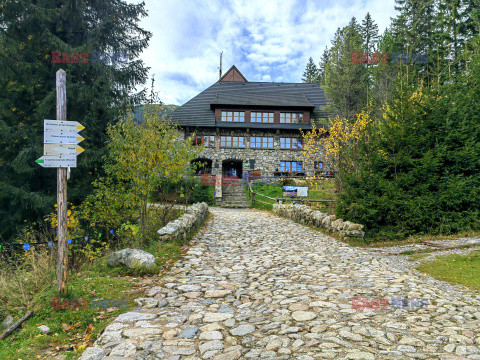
(72, 330)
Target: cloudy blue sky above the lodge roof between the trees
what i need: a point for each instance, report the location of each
(267, 40)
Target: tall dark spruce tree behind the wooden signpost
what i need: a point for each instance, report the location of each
(96, 93)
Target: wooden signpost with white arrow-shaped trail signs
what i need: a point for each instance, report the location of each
(60, 151)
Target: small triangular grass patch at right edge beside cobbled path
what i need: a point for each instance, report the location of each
(456, 269)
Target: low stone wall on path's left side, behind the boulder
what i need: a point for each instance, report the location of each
(185, 224)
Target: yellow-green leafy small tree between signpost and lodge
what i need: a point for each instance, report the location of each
(141, 156)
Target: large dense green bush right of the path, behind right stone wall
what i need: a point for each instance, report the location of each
(418, 170)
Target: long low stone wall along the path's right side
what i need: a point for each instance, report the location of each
(304, 215)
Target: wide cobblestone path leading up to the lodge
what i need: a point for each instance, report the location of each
(256, 286)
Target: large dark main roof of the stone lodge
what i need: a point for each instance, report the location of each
(197, 112)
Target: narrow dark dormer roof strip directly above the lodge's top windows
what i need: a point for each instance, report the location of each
(253, 99)
